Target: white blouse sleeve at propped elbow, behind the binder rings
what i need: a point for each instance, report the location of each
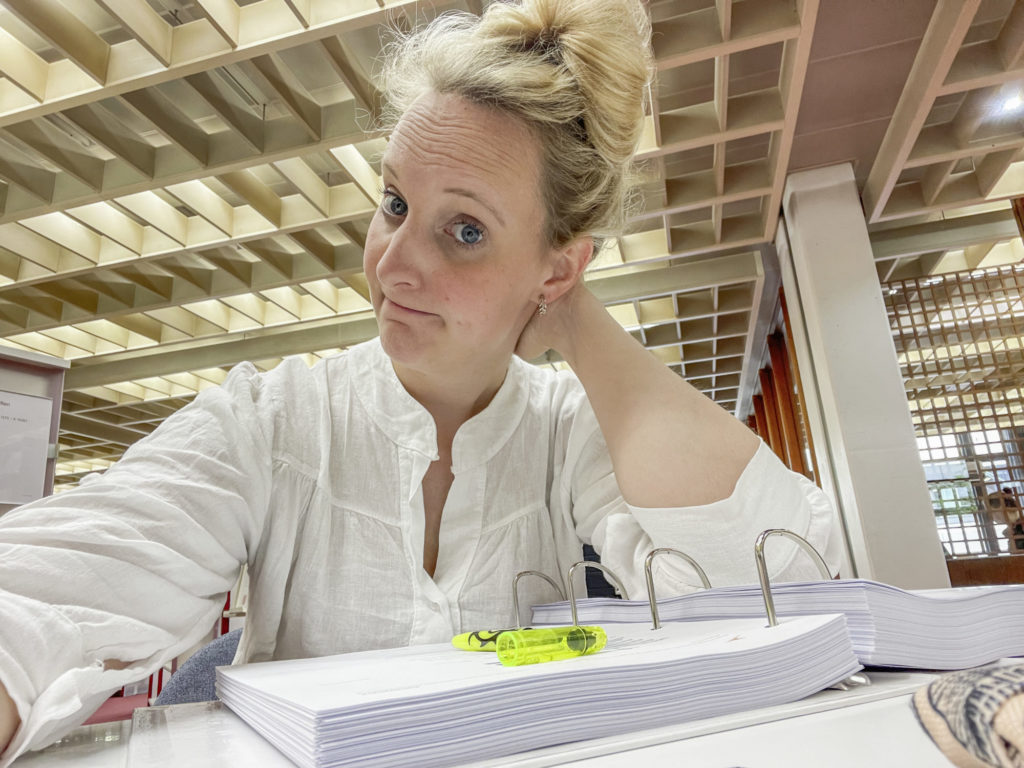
(719, 536)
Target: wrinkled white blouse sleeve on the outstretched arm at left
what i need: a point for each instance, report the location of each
(134, 566)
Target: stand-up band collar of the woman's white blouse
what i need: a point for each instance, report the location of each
(410, 425)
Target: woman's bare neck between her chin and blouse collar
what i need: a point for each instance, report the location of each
(452, 398)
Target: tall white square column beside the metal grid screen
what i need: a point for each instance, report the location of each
(859, 413)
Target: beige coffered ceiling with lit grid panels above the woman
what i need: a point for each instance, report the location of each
(188, 184)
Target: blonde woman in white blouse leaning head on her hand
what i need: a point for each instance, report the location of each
(390, 496)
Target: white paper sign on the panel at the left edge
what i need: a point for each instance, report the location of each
(25, 435)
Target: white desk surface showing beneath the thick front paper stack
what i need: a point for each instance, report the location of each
(870, 727)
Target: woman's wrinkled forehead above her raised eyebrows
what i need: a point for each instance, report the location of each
(448, 136)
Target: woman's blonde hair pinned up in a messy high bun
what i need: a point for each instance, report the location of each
(575, 71)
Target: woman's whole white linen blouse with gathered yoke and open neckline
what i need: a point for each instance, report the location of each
(314, 479)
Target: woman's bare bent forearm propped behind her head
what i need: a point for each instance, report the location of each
(670, 445)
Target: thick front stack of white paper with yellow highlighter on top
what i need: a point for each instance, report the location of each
(435, 706)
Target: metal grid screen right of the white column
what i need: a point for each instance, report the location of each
(959, 337)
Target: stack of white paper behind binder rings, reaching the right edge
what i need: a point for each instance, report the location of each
(889, 627)
